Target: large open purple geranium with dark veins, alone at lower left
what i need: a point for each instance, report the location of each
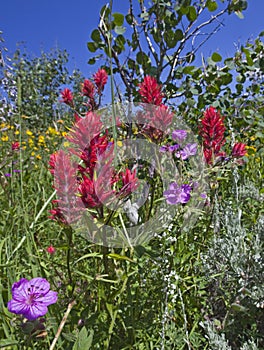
(31, 298)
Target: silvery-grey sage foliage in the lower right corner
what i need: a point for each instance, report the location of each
(234, 266)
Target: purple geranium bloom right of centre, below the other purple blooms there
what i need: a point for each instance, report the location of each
(177, 194)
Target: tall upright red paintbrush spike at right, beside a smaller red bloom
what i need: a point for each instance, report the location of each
(212, 131)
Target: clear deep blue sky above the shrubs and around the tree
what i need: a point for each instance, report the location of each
(68, 24)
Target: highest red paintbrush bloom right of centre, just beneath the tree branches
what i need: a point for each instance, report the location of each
(150, 91)
